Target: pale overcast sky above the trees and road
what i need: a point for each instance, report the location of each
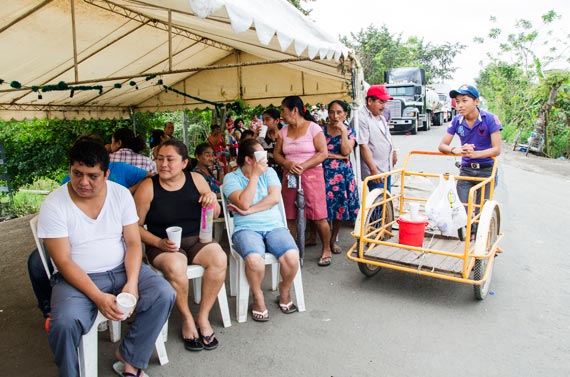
(438, 21)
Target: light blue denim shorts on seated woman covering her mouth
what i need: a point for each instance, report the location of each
(277, 242)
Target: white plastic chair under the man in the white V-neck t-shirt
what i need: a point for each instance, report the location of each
(87, 350)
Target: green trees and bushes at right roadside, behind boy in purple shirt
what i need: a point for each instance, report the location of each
(519, 87)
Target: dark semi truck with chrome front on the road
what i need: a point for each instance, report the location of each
(414, 105)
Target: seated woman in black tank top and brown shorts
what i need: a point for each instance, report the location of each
(175, 197)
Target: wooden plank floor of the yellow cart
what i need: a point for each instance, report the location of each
(425, 261)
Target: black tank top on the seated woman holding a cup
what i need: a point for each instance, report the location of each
(174, 208)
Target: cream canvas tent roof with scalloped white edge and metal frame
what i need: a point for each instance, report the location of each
(122, 56)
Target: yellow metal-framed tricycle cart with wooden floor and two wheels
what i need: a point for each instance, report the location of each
(462, 259)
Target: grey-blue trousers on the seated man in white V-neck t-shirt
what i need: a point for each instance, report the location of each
(73, 315)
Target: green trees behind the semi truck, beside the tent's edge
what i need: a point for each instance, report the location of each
(379, 50)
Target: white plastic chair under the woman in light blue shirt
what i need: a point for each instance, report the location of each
(239, 285)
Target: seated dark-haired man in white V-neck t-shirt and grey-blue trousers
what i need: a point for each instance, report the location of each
(90, 228)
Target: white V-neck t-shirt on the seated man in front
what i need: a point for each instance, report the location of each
(97, 245)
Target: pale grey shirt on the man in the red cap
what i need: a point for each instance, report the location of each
(374, 132)
